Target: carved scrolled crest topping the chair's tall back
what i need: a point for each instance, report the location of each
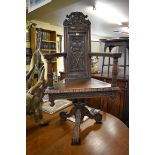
(76, 18)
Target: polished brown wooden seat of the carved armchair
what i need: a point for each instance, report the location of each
(85, 87)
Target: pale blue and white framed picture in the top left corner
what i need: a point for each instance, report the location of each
(34, 4)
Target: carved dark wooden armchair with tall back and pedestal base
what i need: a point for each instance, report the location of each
(78, 83)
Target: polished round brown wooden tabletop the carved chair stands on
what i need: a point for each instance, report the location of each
(109, 138)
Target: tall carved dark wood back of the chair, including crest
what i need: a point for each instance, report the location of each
(77, 45)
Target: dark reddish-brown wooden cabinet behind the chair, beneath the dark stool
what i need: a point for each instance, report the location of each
(120, 108)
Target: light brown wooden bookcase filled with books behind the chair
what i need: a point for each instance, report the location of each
(48, 46)
